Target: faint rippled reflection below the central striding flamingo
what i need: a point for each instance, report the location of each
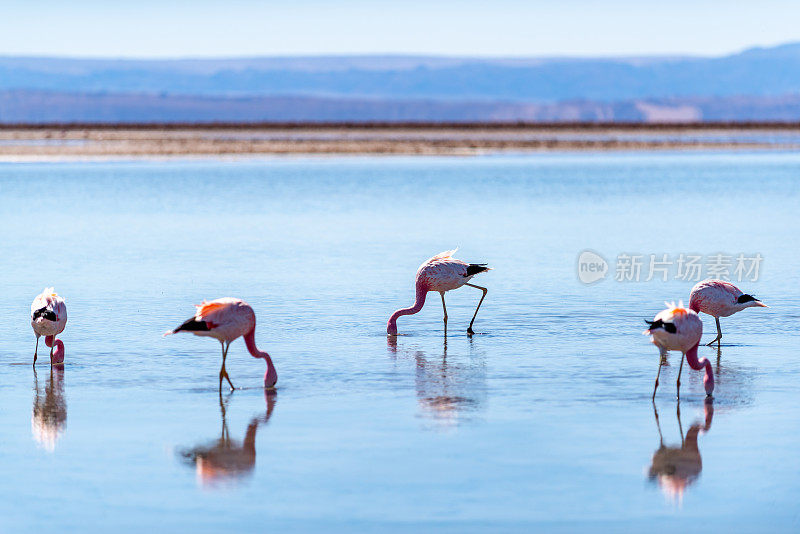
(447, 393)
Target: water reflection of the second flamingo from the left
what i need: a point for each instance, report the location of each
(225, 460)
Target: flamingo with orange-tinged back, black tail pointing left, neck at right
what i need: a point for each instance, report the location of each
(225, 320)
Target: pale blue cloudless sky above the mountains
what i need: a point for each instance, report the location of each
(182, 28)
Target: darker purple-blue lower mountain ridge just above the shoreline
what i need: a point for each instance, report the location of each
(41, 107)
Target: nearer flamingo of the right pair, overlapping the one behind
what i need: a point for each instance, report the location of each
(677, 328)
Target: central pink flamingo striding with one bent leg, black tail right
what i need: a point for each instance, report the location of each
(441, 273)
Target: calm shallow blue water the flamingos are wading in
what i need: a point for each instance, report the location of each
(542, 420)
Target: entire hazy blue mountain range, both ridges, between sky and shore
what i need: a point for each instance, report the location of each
(757, 84)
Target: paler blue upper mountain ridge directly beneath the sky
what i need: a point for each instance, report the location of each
(763, 72)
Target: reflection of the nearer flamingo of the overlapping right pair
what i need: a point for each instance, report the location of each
(677, 468)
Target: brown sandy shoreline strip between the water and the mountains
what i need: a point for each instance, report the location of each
(28, 142)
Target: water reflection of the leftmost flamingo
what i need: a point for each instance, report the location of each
(49, 418)
